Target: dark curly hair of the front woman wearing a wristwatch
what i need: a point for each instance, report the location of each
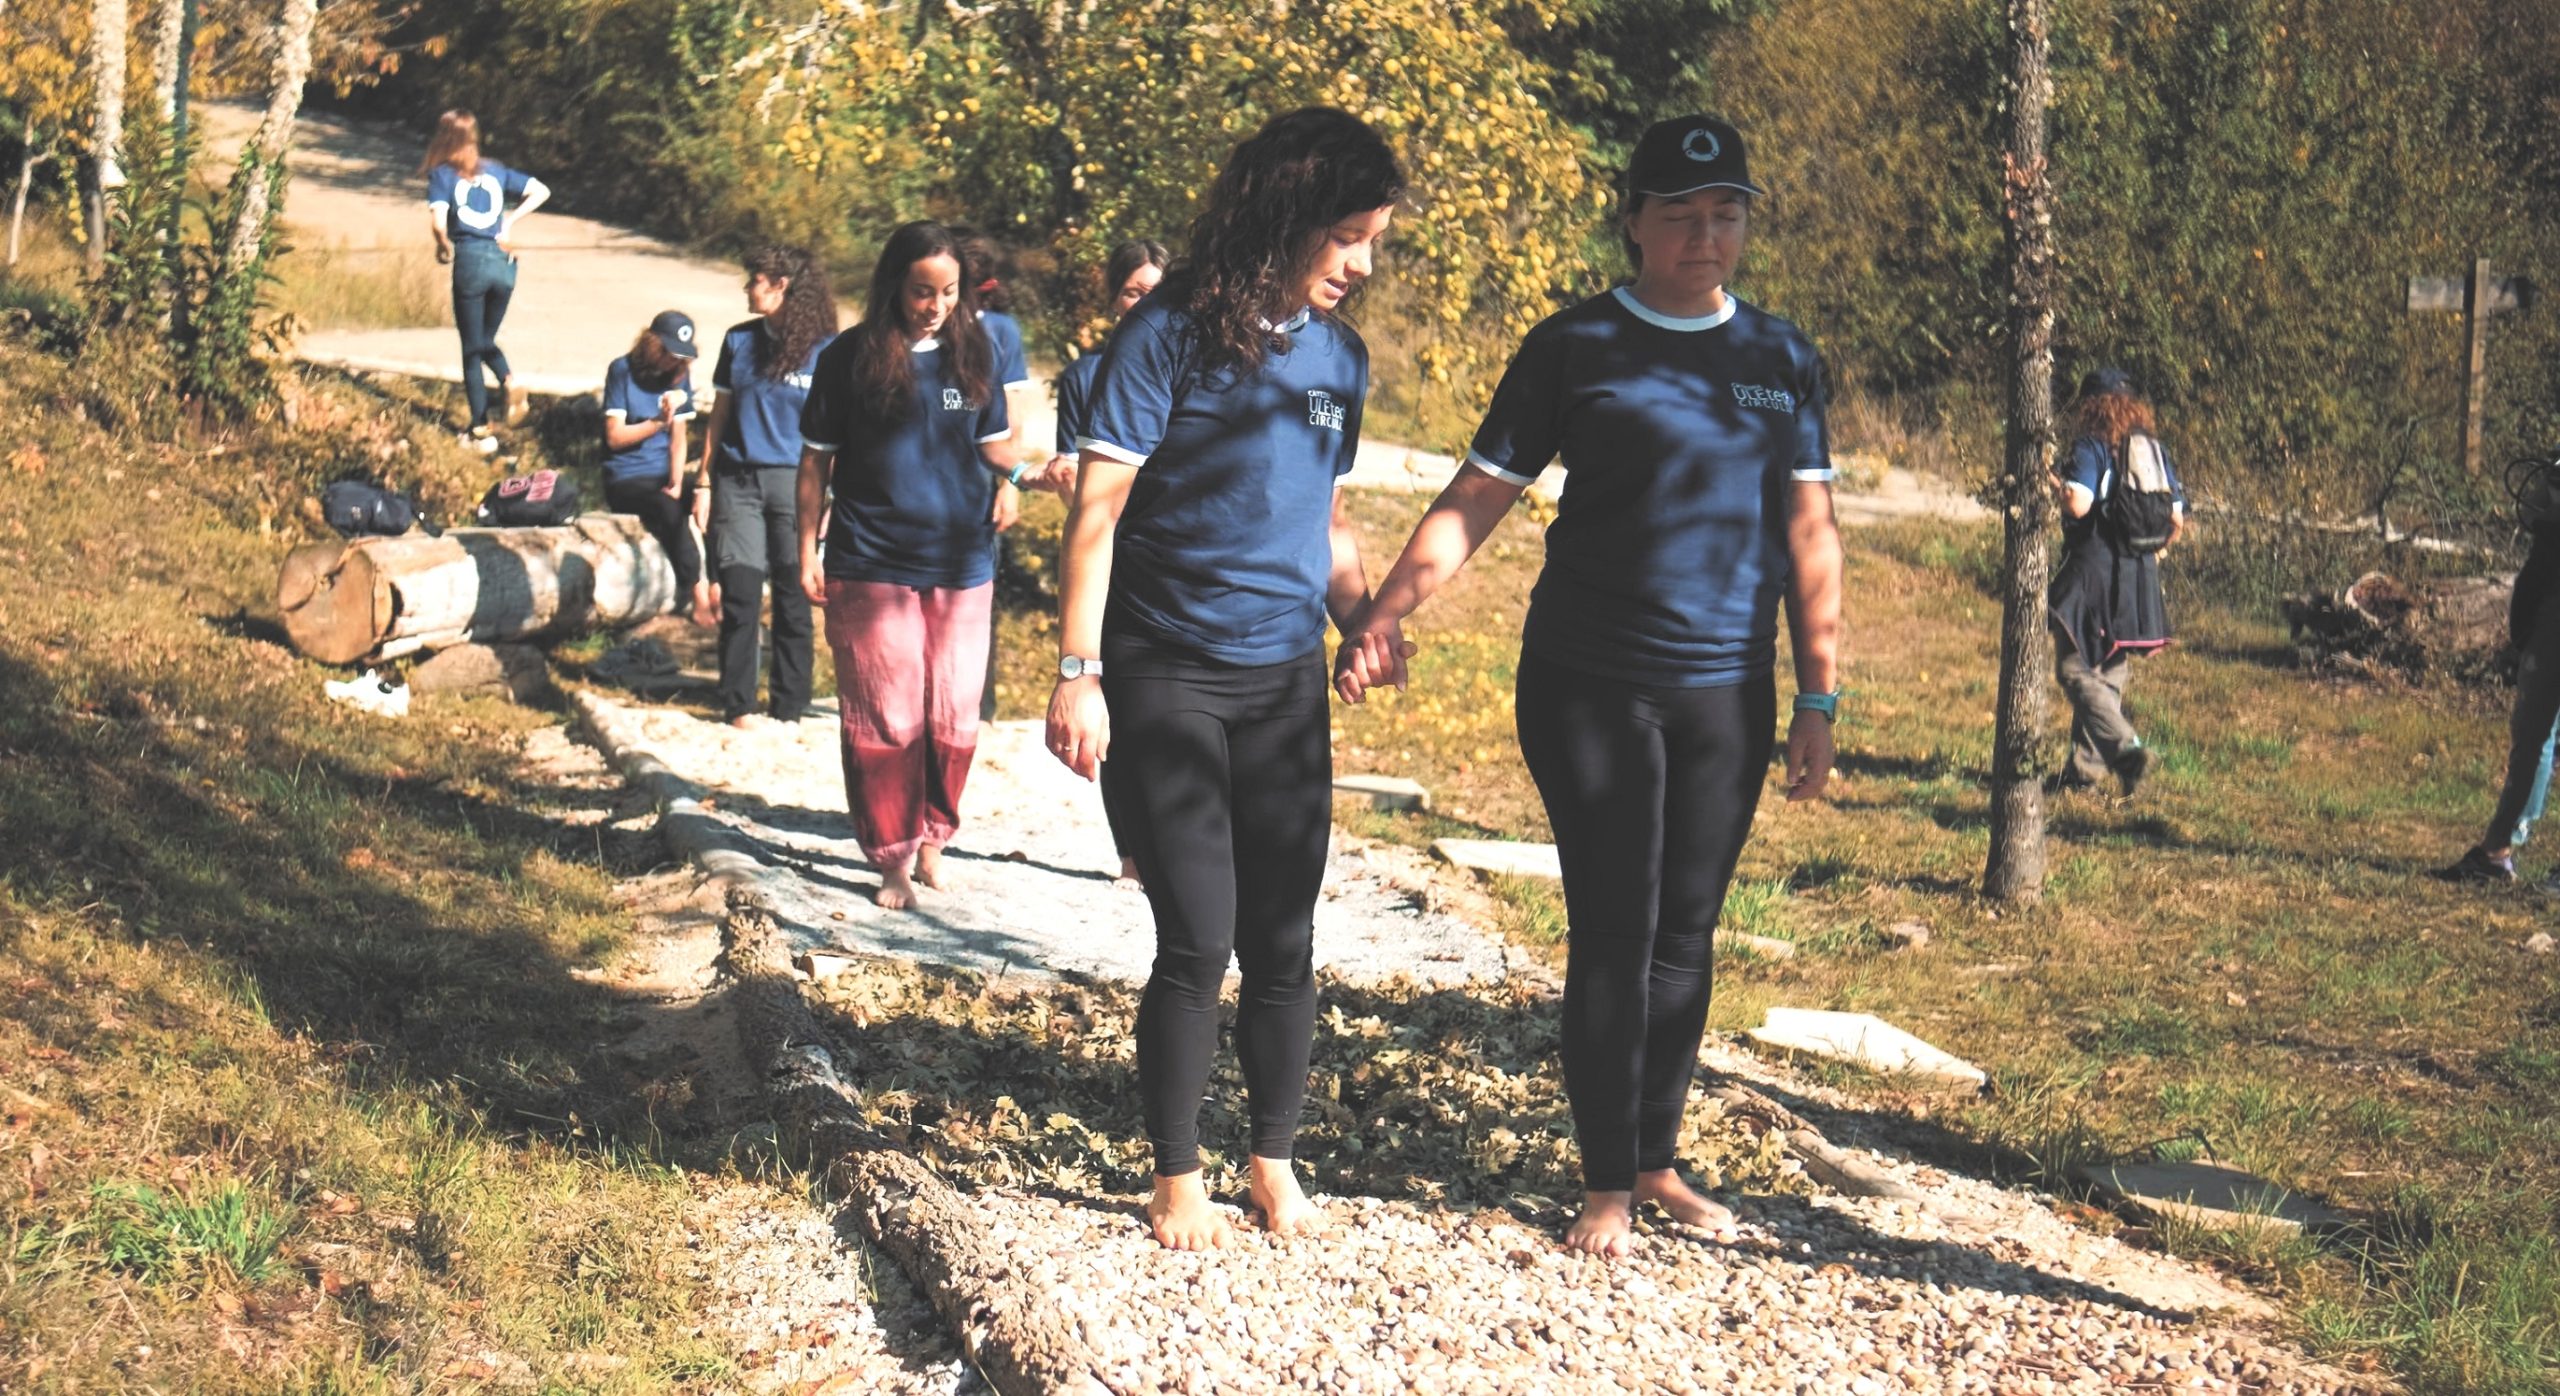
(1263, 222)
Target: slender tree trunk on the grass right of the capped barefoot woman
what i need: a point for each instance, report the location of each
(2016, 870)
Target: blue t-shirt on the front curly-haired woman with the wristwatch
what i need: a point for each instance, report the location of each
(1225, 544)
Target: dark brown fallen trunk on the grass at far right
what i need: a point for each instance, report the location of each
(2415, 629)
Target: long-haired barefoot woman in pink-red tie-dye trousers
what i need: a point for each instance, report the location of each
(905, 424)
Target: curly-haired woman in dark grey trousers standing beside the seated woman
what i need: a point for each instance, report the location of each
(749, 498)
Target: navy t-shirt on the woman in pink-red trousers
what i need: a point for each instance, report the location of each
(913, 496)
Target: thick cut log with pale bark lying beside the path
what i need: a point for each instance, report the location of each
(385, 598)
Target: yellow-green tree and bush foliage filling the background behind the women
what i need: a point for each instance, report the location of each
(2246, 186)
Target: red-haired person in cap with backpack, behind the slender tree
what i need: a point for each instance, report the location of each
(2106, 593)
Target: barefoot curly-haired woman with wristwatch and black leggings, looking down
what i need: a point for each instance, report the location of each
(1202, 560)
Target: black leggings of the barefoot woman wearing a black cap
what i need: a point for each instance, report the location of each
(1650, 793)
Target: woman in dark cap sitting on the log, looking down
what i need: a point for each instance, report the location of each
(649, 398)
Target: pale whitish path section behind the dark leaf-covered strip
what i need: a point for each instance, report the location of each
(1030, 875)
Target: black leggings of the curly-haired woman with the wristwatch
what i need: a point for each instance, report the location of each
(1228, 798)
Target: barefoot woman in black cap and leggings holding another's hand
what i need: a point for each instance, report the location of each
(1696, 508)
